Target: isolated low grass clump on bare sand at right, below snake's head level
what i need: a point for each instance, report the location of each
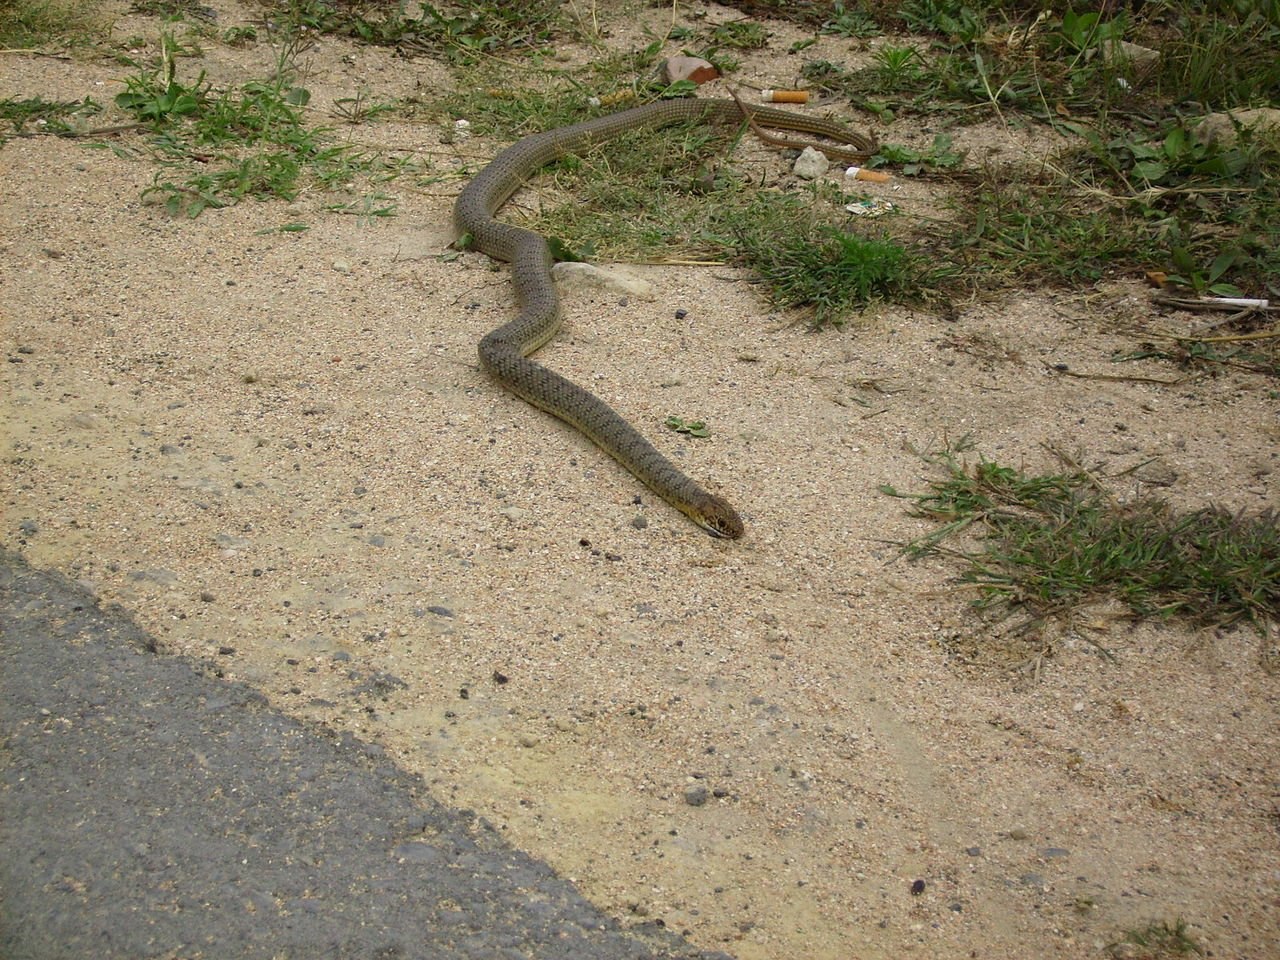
(1052, 545)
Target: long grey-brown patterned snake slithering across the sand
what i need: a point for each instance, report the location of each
(505, 351)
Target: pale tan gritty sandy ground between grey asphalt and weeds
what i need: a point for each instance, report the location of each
(278, 452)
